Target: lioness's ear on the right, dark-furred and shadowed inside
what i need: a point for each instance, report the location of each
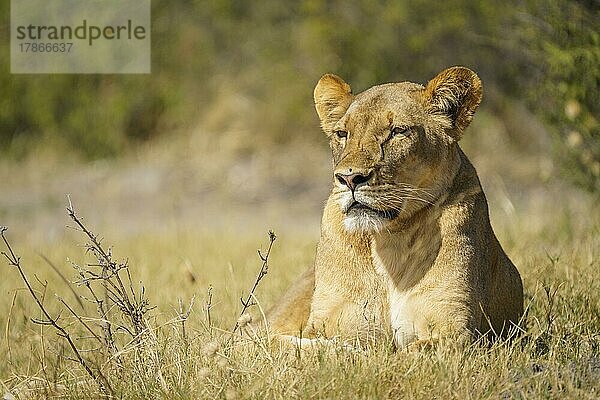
(455, 92)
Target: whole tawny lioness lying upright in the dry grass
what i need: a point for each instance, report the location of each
(406, 243)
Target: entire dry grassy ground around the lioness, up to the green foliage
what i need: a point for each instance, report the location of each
(161, 215)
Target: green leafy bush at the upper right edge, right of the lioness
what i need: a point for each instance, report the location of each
(564, 57)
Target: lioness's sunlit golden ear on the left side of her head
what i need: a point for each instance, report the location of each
(332, 98)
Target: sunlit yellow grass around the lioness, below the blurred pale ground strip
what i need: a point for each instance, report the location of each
(557, 357)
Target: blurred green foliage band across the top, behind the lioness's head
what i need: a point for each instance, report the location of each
(229, 65)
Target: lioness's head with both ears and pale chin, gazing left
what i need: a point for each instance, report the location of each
(394, 145)
